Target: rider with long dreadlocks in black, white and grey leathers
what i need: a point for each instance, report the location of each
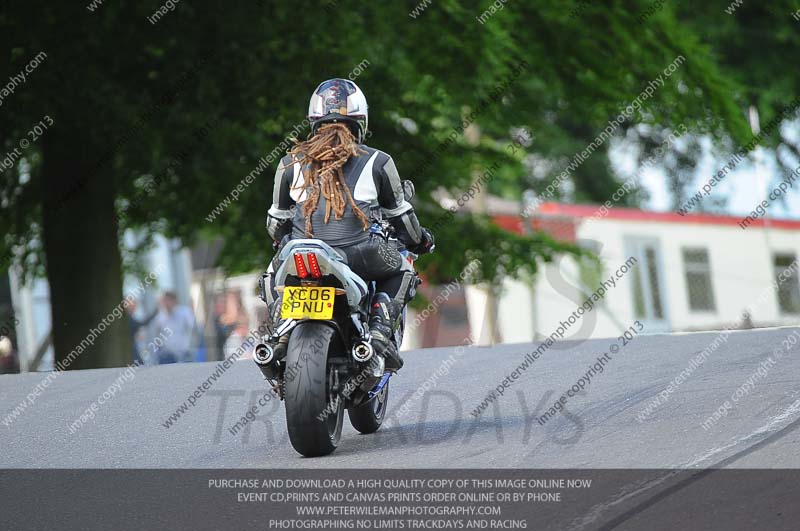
(333, 187)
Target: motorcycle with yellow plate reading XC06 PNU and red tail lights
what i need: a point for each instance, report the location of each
(329, 364)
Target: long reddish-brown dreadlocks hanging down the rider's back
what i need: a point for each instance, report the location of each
(324, 154)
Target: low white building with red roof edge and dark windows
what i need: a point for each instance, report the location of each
(694, 272)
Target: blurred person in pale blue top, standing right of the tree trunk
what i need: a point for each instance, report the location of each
(179, 319)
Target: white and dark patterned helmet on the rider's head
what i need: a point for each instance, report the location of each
(339, 100)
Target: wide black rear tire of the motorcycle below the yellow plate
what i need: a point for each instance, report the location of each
(307, 390)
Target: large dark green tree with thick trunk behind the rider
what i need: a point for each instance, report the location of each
(155, 124)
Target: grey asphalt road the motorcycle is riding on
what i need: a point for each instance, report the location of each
(600, 429)
